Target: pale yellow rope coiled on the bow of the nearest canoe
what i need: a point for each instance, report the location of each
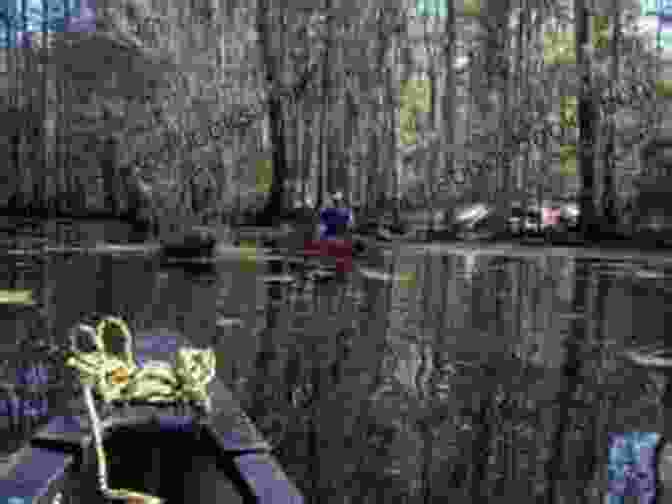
(117, 379)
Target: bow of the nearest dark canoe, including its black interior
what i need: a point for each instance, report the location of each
(171, 454)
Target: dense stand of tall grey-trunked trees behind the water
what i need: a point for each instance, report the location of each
(492, 98)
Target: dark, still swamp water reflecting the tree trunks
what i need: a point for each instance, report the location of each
(471, 376)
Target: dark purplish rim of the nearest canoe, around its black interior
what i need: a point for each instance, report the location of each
(55, 466)
